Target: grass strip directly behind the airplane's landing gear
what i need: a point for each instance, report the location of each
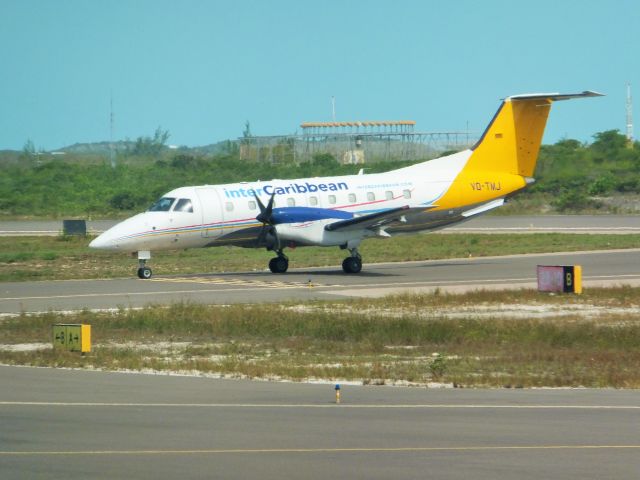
(56, 258)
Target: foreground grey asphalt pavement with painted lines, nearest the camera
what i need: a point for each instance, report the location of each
(77, 424)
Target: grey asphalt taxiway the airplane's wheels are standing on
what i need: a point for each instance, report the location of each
(518, 271)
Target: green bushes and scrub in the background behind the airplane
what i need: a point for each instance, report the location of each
(571, 177)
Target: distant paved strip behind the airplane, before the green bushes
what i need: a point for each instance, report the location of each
(484, 224)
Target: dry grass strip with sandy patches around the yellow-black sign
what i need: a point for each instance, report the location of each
(496, 339)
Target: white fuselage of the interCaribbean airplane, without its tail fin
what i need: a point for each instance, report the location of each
(219, 212)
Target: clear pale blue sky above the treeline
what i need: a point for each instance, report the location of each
(200, 69)
